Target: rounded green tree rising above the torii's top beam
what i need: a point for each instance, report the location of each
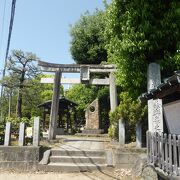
(88, 43)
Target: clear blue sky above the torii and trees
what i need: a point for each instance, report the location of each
(42, 26)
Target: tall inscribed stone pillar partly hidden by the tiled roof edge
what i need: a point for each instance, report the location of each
(155, 114)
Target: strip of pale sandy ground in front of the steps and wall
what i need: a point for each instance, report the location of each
(121, 174)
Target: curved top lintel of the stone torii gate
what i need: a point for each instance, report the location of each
(75, 68)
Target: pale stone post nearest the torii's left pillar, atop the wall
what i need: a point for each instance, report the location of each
(36, 131)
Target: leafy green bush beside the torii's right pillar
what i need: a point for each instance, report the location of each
(130, 111)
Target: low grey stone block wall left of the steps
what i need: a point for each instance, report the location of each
(19, 158)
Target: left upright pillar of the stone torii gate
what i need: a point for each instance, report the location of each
(54, 106)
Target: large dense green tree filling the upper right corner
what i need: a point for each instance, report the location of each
(139, 32)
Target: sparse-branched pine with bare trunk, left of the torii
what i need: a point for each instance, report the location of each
(21, 70)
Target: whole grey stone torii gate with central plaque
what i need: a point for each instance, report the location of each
(85, 71)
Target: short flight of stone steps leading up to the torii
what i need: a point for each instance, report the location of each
(74, 160)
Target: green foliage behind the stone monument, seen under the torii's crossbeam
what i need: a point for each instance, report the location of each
(83, 95)
